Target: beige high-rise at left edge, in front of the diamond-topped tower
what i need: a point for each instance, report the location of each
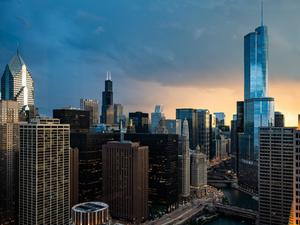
(9, 148)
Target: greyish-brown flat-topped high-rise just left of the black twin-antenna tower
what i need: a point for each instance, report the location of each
(92, 106)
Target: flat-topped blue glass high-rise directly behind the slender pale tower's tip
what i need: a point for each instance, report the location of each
(191, 116)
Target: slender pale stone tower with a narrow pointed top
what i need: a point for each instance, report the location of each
(185, 160)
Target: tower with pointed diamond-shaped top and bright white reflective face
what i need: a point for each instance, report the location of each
(17, 83)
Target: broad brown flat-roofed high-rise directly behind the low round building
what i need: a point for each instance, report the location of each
(125, 180)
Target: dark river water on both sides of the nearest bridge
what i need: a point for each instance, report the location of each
(239, 199)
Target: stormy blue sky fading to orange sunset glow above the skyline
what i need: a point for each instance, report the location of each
(178, 53)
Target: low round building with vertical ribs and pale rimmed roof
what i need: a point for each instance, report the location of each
(90, 213)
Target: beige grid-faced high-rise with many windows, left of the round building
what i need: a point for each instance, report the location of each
(44, 172)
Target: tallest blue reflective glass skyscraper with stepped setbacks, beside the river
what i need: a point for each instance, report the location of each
(258, 107)
